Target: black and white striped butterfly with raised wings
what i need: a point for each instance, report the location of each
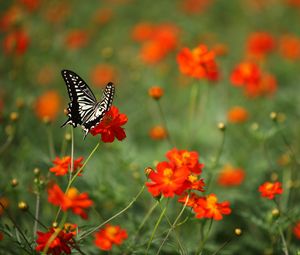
(84, 109)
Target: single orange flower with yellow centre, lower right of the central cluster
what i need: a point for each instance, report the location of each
(208, 207)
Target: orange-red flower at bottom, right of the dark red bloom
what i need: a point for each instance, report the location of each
(108, 236)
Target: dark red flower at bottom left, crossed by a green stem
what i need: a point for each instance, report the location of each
(61, 243)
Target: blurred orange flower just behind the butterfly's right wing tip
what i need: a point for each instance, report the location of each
(102, 74)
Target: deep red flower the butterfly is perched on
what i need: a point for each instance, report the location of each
(111, 126)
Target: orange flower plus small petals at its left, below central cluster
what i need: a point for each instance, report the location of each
(207, 206)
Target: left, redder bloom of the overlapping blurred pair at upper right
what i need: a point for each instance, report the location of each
(245, 73)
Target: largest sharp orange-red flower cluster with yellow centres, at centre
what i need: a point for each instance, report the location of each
(180, 174)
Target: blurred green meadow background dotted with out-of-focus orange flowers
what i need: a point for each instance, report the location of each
(135, 44)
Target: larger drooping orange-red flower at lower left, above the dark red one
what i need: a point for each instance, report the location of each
(71, 200)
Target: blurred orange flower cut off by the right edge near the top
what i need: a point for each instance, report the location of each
(289, 47)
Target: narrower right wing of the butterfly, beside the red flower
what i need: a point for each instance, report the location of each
(100, 109)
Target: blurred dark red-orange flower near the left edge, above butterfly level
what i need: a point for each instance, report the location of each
(16, 42)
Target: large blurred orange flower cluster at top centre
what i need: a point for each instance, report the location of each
(157, 40)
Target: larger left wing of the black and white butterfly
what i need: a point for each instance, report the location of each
(83, 101)
